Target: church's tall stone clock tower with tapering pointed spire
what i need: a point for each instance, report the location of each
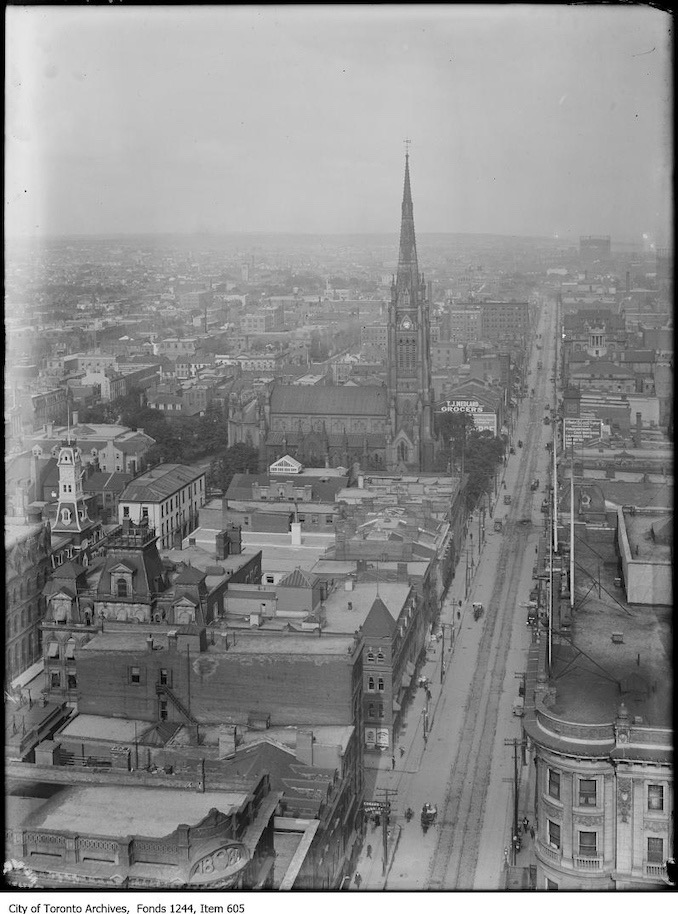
(412, 443)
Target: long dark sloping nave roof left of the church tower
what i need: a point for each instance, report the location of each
(329, 401)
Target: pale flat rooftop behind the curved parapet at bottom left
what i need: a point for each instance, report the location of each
(153, 812)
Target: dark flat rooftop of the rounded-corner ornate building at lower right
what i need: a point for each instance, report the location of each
(592, 673)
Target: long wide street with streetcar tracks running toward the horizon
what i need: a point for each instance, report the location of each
(464, 766)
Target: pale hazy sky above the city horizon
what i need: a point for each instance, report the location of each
(523, 119)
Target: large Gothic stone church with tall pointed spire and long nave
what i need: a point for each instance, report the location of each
(387, 427)
